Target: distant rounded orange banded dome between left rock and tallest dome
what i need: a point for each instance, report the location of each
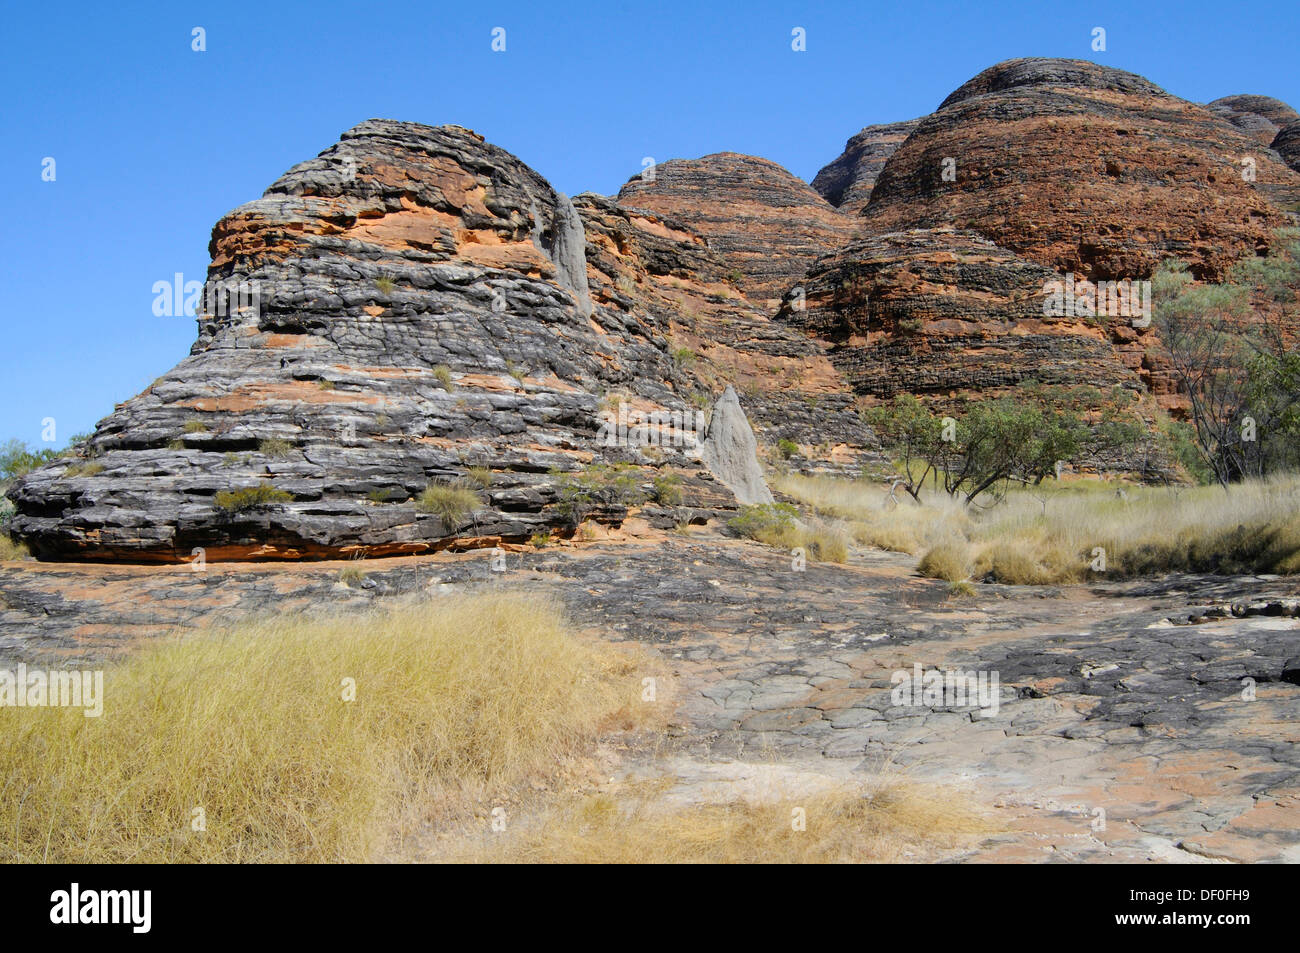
(765, 224)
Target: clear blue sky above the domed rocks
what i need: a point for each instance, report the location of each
(155, 142)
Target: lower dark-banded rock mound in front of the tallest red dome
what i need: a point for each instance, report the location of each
(939, 313)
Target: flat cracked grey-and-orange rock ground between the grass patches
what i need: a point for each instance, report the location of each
(1123, 730)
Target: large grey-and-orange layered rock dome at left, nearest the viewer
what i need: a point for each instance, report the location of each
(422, 309)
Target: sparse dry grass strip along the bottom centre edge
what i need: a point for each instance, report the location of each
(843, 825)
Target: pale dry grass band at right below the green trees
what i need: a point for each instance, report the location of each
(1059, 532)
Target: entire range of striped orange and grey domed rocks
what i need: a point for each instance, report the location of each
(418, 309)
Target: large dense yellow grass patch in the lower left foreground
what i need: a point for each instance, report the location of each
(376, 725)
